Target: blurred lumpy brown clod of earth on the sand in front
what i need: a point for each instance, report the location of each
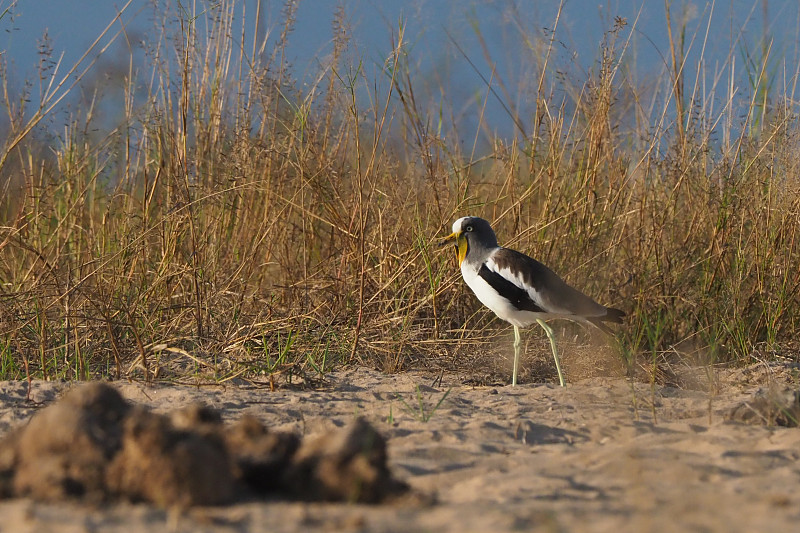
(93, 445)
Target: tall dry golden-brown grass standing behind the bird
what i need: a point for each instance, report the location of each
(237, 223)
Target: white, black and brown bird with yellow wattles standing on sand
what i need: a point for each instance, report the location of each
(520, 289)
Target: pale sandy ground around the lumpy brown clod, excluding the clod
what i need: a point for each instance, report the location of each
(600, 455)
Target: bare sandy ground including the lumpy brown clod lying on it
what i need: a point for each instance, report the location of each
(601, 455)
